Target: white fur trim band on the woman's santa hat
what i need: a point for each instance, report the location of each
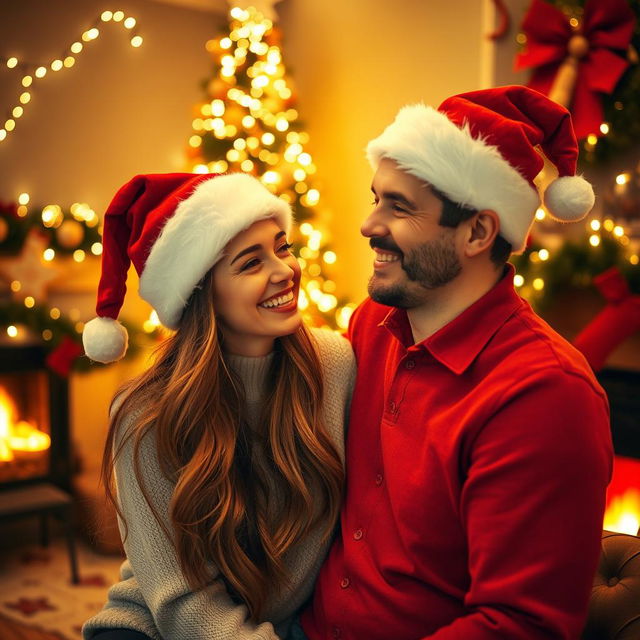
(193, 239)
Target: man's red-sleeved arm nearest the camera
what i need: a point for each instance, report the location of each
(532, 506)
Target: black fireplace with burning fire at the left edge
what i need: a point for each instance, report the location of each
(34, 420)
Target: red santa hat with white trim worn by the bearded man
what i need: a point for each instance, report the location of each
(480, 149)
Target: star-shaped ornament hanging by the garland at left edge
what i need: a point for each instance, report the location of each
(30, 269)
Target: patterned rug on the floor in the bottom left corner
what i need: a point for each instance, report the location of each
(36, 589)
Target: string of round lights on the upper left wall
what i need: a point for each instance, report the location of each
(35, 72)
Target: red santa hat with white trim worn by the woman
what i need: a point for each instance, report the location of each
(174, 228)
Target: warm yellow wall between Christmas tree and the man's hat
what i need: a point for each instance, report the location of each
(354, 64)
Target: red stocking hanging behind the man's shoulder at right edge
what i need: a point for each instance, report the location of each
(614, 324)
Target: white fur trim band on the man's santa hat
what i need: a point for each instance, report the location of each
(470, 172)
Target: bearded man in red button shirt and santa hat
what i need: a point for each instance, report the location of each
(479, 449)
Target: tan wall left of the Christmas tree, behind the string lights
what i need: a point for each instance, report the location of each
(119, 111)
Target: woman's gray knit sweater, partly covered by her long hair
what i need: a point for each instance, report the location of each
(153, 596)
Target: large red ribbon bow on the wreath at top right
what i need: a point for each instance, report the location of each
(606, 26)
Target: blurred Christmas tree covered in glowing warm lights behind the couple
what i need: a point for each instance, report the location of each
(248, 122)
